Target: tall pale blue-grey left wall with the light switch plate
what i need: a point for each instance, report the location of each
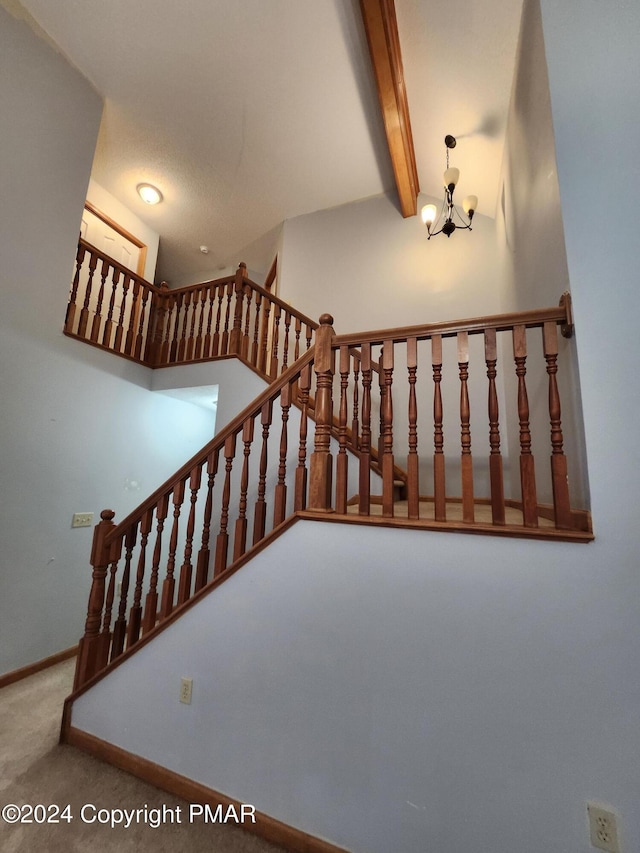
(79, 429)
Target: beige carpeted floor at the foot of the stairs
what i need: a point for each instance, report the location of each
(35, 769)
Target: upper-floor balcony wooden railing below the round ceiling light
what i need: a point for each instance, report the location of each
(112, 308)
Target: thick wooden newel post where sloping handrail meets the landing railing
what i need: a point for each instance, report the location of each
(321, 462)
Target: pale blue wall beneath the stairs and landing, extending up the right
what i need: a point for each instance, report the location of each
(422, 686)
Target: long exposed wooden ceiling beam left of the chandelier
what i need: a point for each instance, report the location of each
(379, 17)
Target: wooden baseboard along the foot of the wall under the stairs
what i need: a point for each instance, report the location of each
(265, 826)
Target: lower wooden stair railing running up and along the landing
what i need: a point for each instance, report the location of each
(258, 471)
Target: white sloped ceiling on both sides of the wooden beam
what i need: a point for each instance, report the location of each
(248, 112)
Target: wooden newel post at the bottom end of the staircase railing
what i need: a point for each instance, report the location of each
(89, 646)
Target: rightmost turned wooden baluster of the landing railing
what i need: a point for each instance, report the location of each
(559, 476)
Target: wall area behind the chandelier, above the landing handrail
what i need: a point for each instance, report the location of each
(371, 269)
